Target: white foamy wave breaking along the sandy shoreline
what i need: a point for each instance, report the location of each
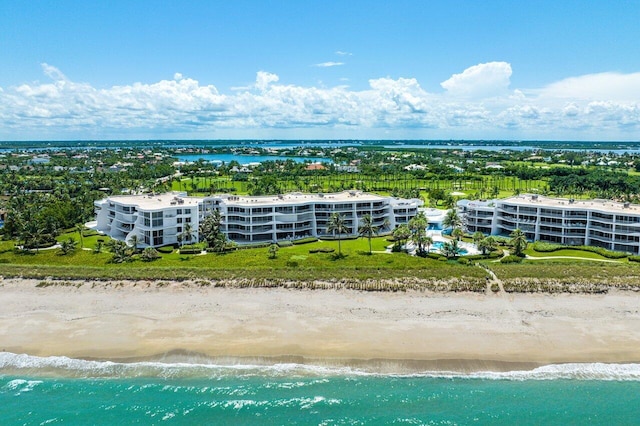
(60, 366)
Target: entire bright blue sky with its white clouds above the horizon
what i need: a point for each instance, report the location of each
(320, 69)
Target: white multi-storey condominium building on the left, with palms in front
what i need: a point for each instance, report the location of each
(164, 219)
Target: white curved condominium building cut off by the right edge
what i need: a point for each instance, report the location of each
(602, 223)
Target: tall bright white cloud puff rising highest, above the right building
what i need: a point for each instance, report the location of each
(482, 80)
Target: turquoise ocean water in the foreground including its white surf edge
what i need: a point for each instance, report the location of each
(60, 390)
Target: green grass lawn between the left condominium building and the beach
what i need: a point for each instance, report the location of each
(293, 262)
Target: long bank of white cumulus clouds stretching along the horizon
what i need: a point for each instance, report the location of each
(477, 103)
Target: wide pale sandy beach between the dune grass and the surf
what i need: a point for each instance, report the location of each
(459, 331)
